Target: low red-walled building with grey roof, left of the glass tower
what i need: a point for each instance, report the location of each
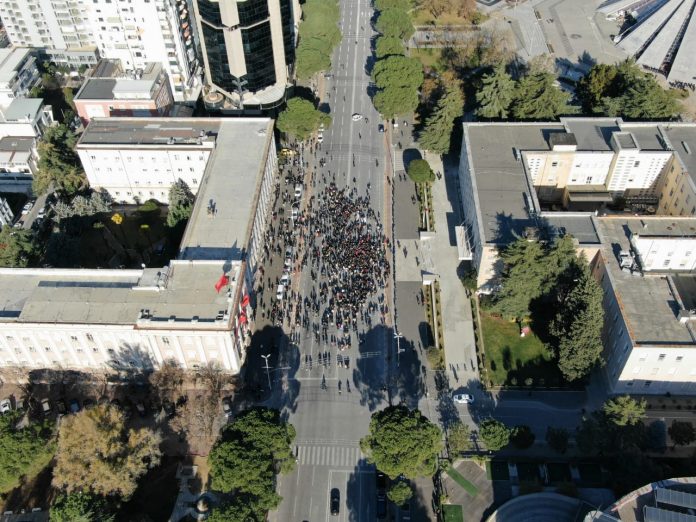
(109, 92)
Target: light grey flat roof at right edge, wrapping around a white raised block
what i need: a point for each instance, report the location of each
(647, 302)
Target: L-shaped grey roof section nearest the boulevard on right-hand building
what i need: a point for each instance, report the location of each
(502, 187)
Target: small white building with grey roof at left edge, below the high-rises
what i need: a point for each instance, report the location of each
(18, 73)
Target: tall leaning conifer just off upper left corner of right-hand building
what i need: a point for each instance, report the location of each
(438, 127)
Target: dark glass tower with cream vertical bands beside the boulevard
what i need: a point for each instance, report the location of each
(247, 48)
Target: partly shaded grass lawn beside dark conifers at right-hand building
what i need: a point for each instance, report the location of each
(511, 359)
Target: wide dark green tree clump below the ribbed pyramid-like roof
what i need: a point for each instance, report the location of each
(625, 90)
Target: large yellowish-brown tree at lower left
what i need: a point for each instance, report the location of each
(96, 453)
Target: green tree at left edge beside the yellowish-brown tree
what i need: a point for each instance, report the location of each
(25, 451)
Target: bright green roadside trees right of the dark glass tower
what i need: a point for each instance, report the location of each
(319, 35)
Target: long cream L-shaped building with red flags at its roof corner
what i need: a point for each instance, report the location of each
(196, 310)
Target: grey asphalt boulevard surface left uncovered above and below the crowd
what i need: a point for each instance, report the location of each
(330, 421)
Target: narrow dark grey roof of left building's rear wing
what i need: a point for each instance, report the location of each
(159, 132)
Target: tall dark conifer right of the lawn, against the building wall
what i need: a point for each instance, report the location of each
(578, 325)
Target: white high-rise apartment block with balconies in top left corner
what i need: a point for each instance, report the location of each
(135, 32)
